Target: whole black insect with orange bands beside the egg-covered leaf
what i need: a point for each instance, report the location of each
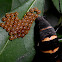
(47, 45)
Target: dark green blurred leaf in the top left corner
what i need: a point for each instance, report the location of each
(5, 6)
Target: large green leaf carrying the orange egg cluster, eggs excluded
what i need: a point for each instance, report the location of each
(20, 49)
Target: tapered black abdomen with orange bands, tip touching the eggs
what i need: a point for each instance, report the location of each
(48, 39)
